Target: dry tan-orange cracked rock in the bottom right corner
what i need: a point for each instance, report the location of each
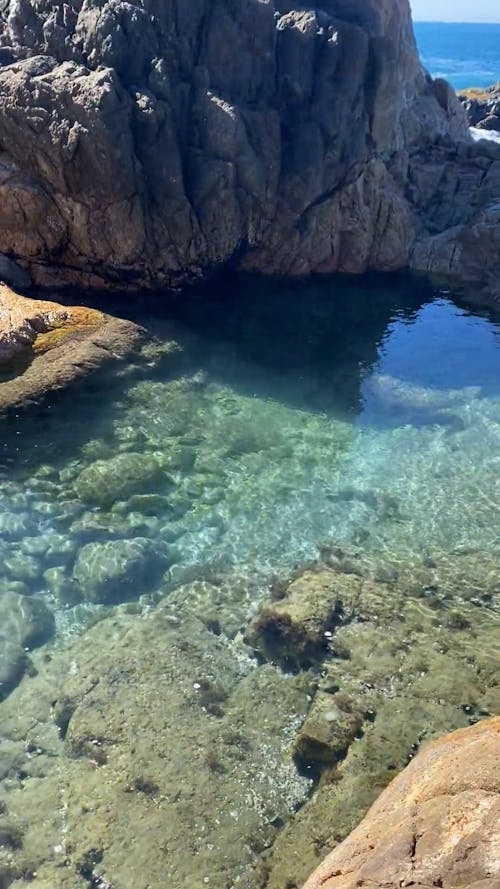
(437, 824)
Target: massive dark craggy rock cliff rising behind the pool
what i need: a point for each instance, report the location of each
(144, 143)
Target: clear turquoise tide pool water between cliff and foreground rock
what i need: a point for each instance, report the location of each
(264, 425)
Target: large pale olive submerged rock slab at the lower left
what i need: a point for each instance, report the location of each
(167, 739)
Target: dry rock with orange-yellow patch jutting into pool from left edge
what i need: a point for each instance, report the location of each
(46, 346)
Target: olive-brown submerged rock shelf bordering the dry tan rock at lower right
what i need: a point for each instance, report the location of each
(394, 675)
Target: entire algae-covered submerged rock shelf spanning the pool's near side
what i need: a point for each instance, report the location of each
(163, 719)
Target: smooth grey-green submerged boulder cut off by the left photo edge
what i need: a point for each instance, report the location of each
(25, 622)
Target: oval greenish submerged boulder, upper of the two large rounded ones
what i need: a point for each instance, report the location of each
(119, 478)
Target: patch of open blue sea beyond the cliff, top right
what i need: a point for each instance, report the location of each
(465, 54)
